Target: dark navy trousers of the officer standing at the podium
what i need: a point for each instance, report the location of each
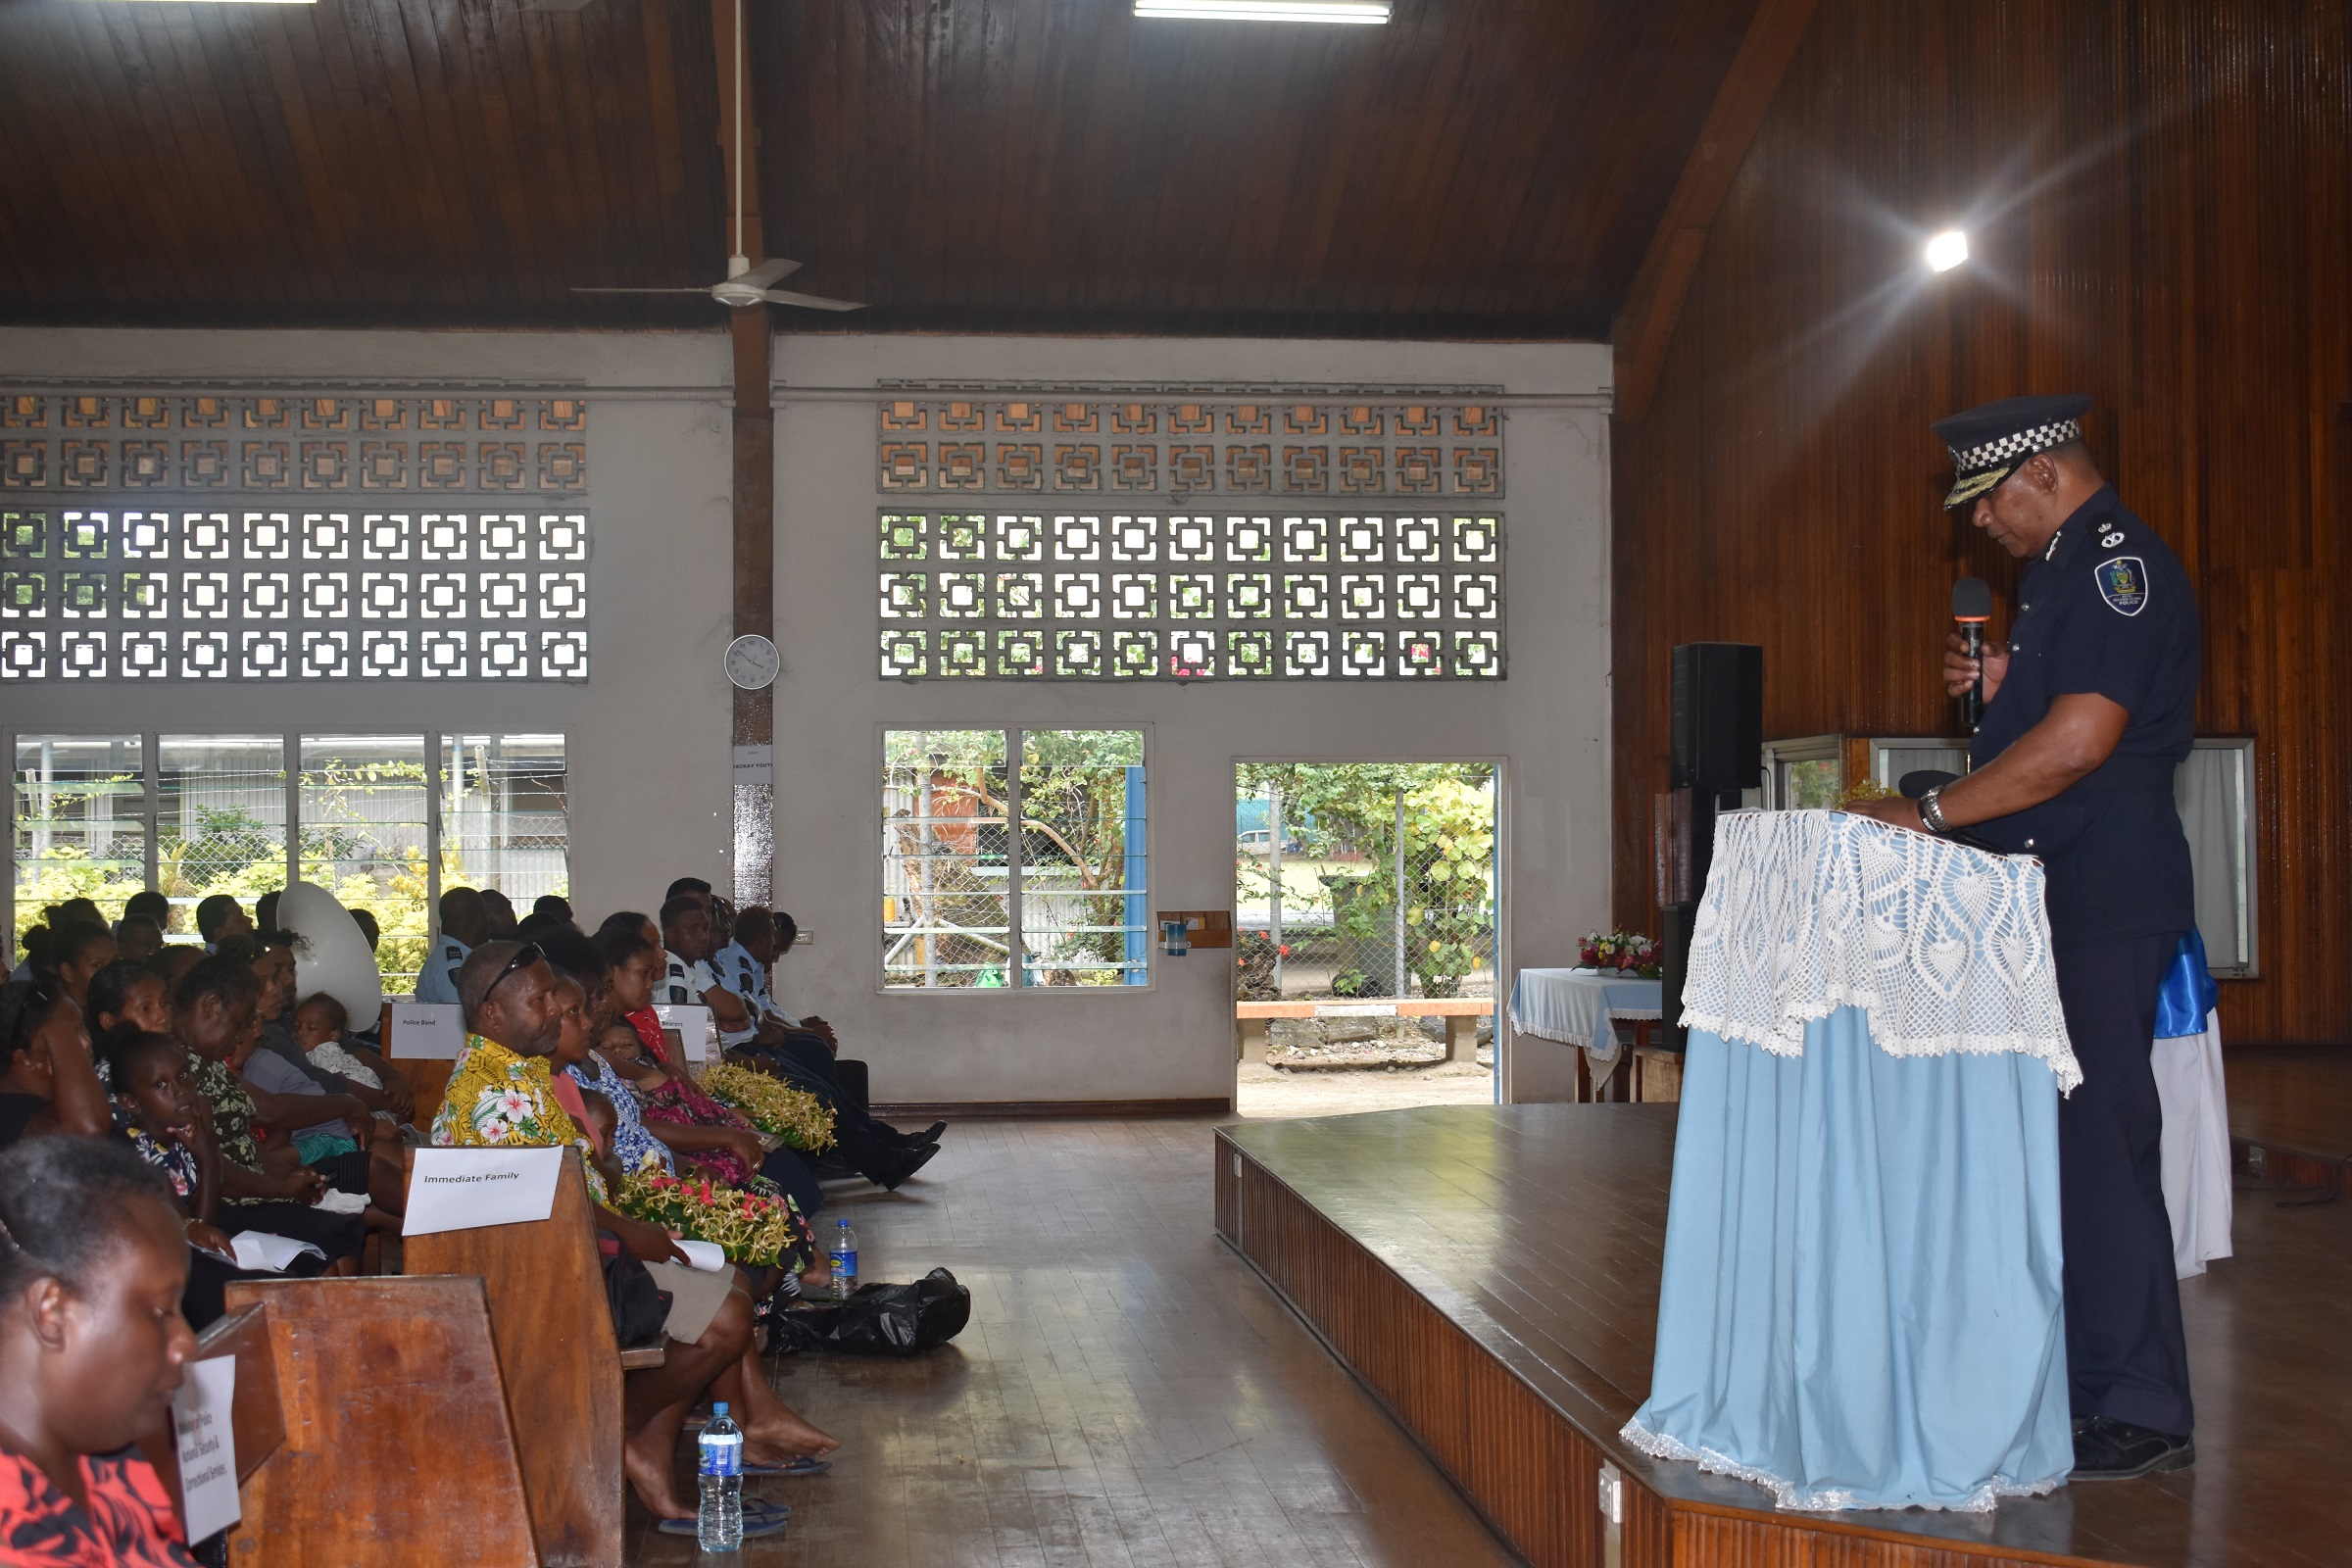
(2123, 1301)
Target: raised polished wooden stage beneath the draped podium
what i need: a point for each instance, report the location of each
(1492, 1275)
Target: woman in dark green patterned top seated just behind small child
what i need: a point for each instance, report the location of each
(213, 1014)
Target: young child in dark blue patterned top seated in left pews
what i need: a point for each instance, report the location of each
(161, 1118)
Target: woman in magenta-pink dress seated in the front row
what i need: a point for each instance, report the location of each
(676, 1108)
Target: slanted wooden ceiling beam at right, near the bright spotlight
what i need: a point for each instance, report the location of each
(1655, 302)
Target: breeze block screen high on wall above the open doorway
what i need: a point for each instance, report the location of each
(1175, 540)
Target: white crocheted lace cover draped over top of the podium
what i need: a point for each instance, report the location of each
(1944, 946)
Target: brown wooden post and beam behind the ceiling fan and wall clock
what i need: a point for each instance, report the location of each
(754, 457)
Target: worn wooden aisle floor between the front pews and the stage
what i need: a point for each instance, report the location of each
(1128, 1391)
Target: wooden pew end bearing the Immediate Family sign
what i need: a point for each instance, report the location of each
(559, 1360)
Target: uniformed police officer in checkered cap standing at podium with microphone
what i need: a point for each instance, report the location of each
(2092, 709)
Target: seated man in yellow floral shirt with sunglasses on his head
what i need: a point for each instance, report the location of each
(502, 1092)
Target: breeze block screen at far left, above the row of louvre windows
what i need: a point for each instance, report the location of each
(293, 537)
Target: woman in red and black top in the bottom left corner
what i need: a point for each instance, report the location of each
(91, 1353)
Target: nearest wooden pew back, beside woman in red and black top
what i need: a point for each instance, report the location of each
(370, 1426)
